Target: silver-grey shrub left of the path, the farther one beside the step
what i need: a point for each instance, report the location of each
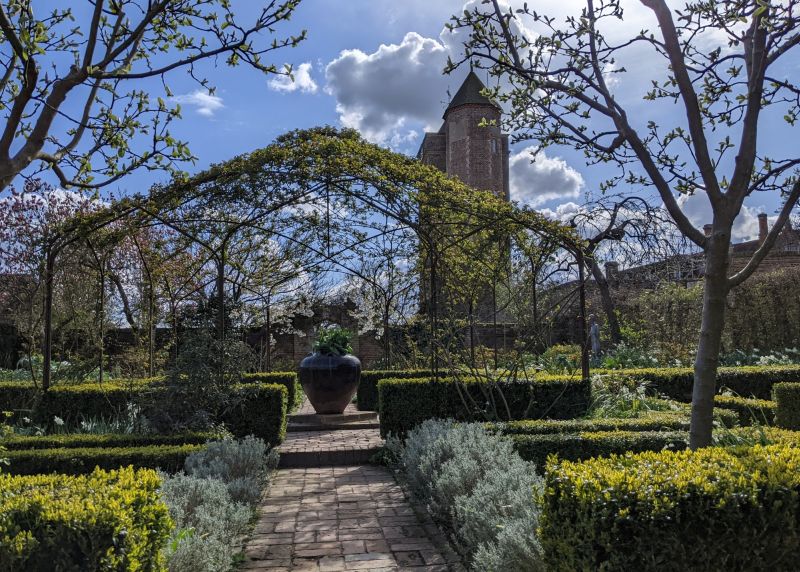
(242, 465)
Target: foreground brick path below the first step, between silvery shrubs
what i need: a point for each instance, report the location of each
(343, 518)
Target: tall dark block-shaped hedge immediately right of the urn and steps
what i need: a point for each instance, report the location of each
(405, 403)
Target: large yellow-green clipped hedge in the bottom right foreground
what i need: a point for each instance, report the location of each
(710, 509)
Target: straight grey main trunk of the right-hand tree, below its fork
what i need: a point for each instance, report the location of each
(715, 292)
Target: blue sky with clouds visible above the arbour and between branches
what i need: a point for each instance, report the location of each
(376, 65)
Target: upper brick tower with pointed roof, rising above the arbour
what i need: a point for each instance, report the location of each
(475, 153)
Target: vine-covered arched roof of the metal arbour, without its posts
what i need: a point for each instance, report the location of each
(296, 180)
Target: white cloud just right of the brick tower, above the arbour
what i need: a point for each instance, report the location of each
(544, 179)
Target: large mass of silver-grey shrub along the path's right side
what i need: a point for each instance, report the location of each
(480, 488)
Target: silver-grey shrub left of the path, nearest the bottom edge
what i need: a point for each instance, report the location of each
(207, 523)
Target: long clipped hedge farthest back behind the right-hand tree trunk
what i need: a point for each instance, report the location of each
(677, 382)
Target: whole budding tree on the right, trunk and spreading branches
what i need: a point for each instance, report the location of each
(561, 93)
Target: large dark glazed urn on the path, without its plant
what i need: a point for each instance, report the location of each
(330, 381)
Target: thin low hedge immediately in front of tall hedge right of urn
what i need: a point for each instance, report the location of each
(650, 421)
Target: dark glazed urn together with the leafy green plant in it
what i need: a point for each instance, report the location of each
(330, 375)
